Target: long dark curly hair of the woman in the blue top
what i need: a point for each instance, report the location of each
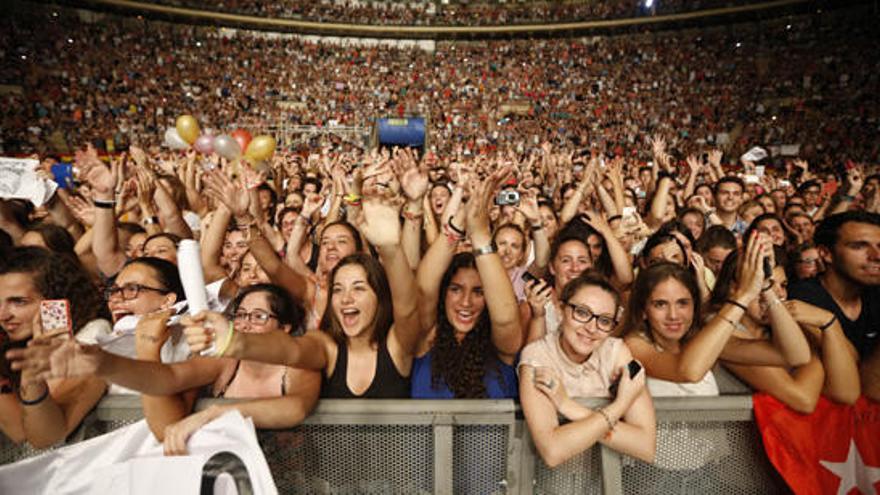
(462, 365)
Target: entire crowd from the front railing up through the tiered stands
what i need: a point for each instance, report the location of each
(625, 263)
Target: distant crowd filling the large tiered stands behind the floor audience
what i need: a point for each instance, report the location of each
(807, 81)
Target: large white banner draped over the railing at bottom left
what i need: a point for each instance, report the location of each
(224, 456)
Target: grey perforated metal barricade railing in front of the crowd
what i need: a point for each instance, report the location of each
(705, 444)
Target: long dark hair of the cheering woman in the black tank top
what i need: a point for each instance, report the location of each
(378, 282)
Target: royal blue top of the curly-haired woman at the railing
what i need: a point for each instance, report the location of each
(500, 384)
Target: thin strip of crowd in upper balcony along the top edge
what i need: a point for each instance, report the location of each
(432, 13)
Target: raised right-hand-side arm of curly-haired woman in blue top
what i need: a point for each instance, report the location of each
(498, 291)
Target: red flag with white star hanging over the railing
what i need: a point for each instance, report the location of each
(834, 450)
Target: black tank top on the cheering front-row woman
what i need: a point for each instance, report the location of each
(388, 383)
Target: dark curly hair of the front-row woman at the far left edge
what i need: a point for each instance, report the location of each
(58, 277)
